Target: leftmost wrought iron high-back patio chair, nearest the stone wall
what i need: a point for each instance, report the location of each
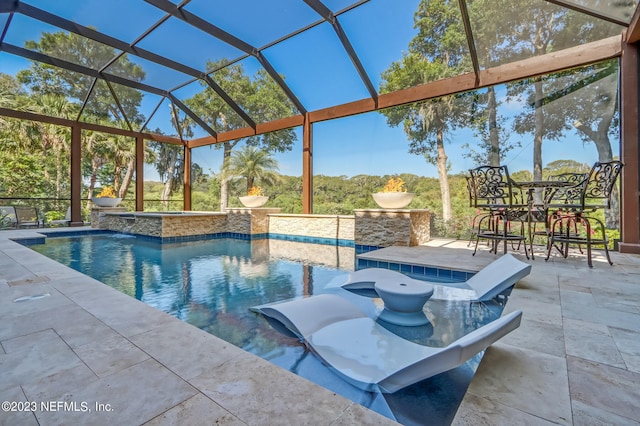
(493, 193)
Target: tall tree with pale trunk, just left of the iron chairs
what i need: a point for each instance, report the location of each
(438, 51)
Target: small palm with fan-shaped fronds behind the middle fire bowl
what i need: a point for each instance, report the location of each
(253, 164)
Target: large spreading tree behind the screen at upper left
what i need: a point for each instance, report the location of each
(101, 106)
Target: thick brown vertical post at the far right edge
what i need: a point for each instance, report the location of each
(629, 152)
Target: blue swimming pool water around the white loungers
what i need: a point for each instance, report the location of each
(213, 284)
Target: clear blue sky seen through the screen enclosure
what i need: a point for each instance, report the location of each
(315, 67)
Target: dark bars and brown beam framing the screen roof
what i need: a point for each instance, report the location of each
(612, 47)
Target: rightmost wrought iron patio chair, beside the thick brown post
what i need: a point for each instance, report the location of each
(573, 219)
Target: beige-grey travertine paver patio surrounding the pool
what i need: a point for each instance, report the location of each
(574, 360)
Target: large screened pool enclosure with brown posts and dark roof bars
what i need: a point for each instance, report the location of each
(186, 105)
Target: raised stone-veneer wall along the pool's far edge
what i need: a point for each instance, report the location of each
(379, 228)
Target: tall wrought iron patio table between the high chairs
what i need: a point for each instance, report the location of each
(536, 210)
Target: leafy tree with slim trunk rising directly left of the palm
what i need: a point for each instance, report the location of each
(259, 96)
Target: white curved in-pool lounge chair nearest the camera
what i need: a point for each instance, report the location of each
(366, 354)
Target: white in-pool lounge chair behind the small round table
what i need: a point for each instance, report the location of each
(486, 284)
